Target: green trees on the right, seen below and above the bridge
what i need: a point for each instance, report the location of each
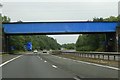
(95, 42)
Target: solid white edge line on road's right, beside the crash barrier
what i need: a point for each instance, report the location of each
(92, 64)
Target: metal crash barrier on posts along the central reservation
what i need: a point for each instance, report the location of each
(98, 55)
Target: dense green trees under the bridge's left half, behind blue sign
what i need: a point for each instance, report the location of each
(39, 42)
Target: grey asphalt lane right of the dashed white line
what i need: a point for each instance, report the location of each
(82, 69)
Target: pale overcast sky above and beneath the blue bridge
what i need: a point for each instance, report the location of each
(59, 10)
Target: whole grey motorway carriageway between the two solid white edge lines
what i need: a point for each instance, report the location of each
(50, 66)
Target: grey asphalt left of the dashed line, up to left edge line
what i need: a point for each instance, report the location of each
(31, 66)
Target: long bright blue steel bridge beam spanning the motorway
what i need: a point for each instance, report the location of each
(59, 27)
